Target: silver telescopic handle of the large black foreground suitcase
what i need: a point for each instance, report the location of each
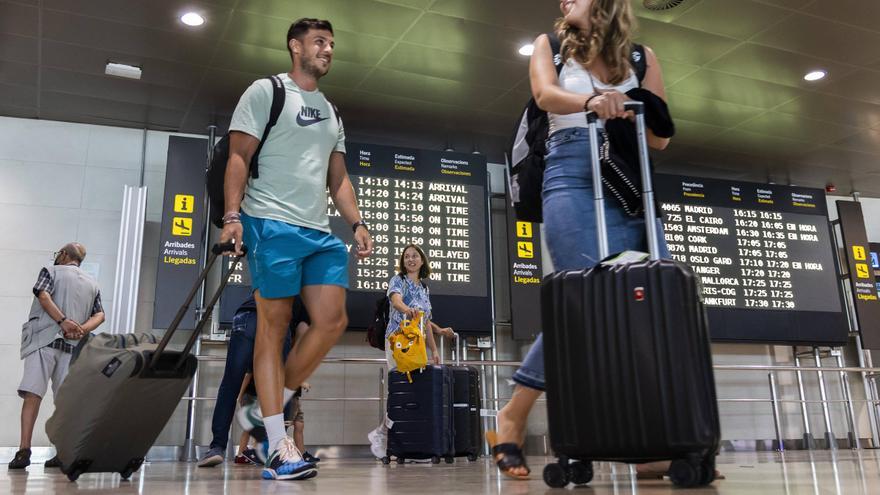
(638, 108)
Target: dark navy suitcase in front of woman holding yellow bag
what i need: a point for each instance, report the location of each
(421, 415)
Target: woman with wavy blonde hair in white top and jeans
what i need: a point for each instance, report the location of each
(596, 44)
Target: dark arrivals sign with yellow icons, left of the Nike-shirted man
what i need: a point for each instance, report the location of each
(183, 228)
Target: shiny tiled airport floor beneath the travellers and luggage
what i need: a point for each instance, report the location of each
(793, 473)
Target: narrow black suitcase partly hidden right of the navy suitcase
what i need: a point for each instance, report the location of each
(466, 412)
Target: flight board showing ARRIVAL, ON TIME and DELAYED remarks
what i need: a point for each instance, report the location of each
(436, 200)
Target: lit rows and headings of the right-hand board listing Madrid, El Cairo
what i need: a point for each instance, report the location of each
(754, 246)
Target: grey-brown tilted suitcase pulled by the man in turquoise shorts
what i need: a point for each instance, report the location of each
(120, 392)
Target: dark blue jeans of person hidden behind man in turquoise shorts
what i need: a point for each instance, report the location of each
(239, 360)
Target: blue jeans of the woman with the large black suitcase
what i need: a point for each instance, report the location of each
(570, 225)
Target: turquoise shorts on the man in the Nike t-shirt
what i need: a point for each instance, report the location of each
(283, 257)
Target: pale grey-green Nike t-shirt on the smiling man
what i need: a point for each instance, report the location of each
(292, 186)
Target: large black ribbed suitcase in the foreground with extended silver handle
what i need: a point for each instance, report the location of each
(629, 369)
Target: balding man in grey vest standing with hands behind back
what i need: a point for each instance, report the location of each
(66, 307)
